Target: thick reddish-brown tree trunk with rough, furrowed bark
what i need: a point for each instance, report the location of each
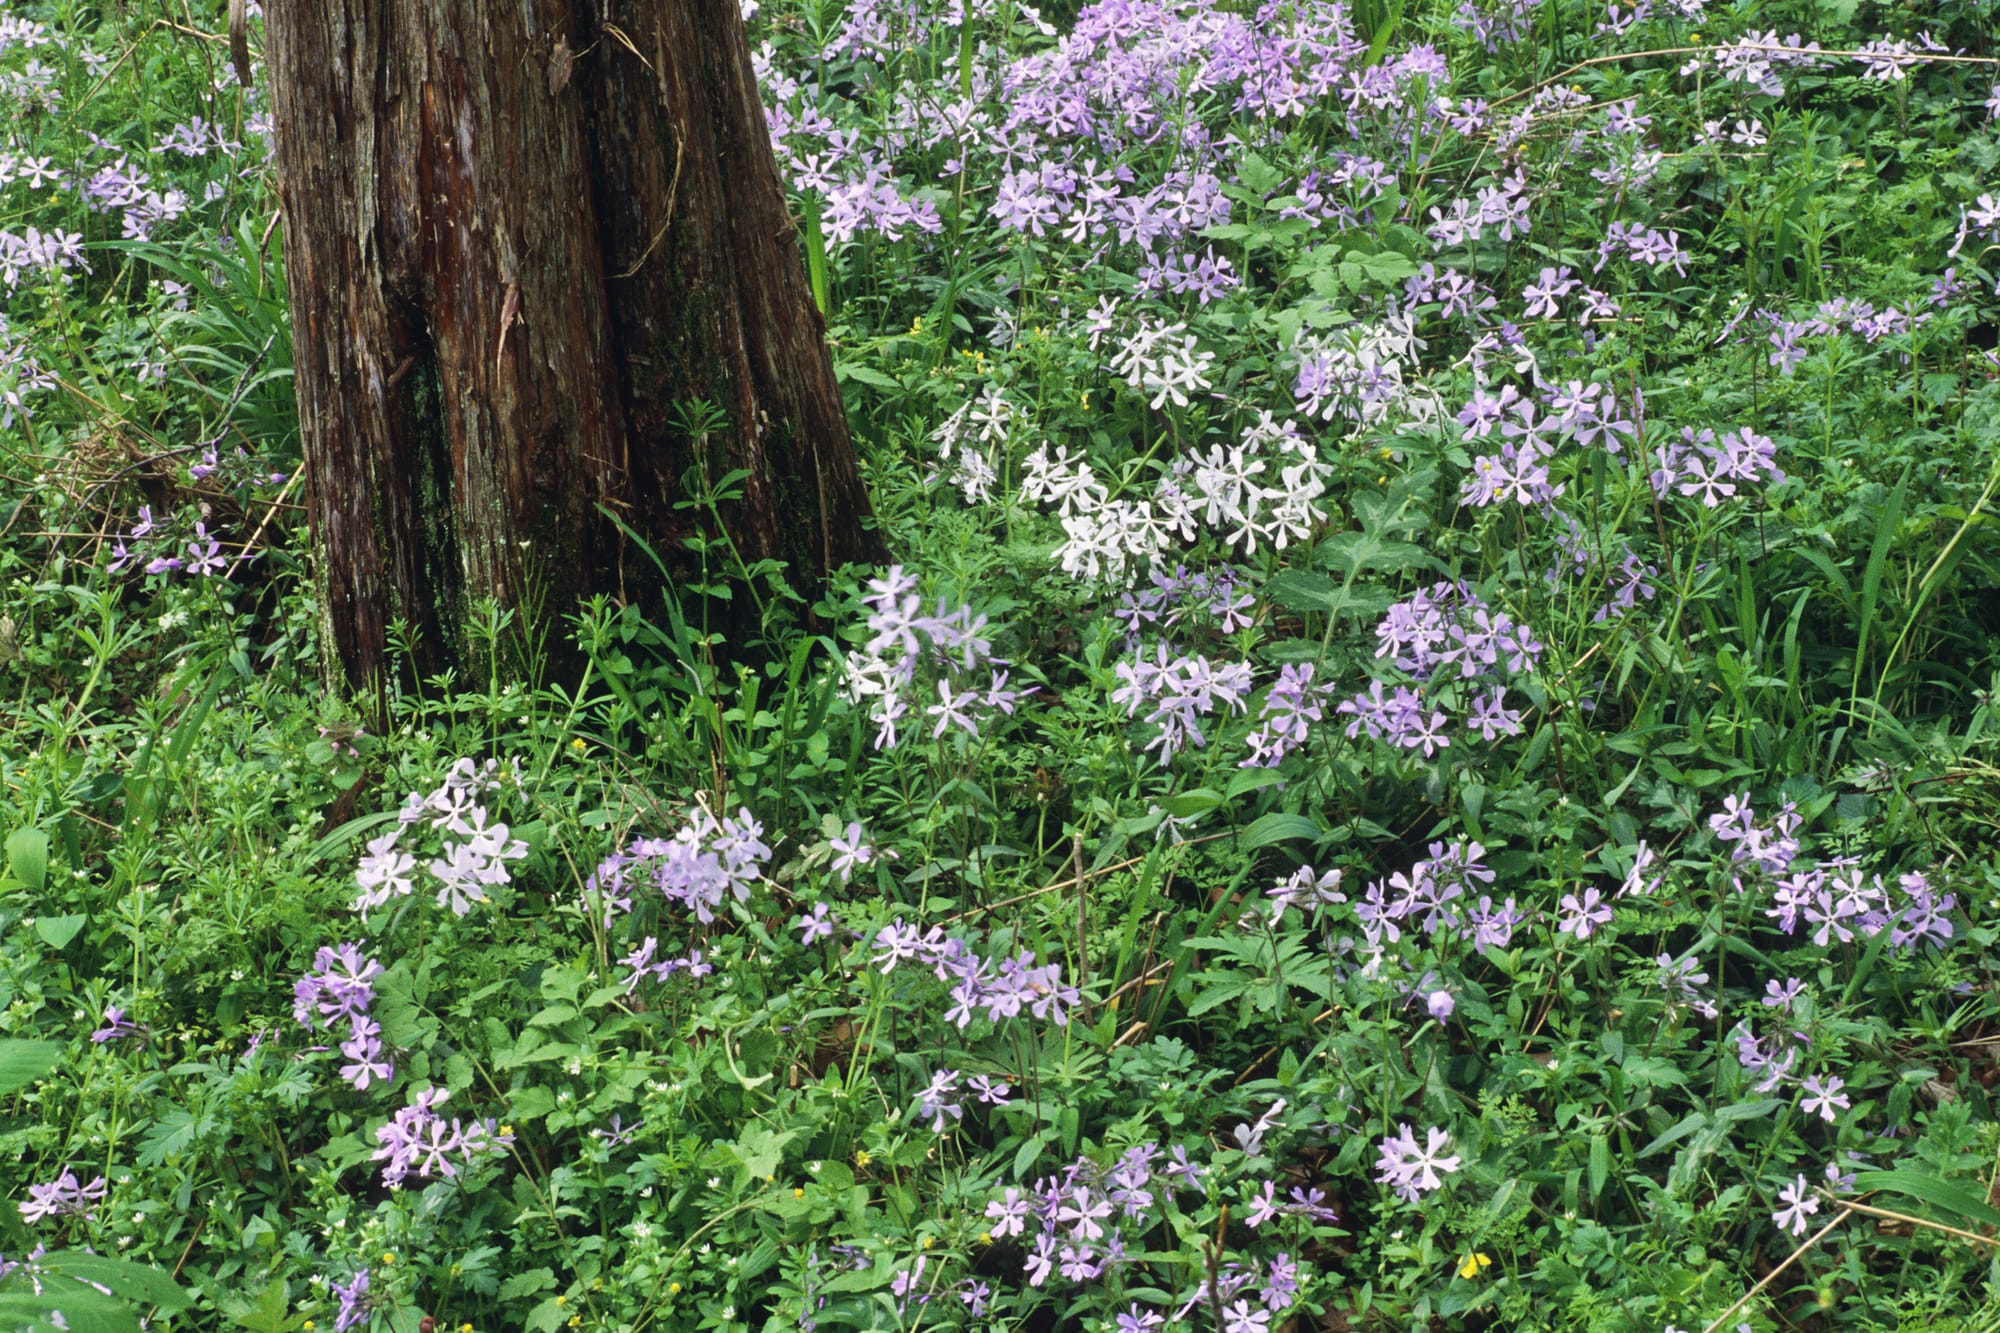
(521, 237)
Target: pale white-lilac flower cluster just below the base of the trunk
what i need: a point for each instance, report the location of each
(475, 846)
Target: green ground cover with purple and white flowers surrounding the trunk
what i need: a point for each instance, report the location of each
(1427, 760)
